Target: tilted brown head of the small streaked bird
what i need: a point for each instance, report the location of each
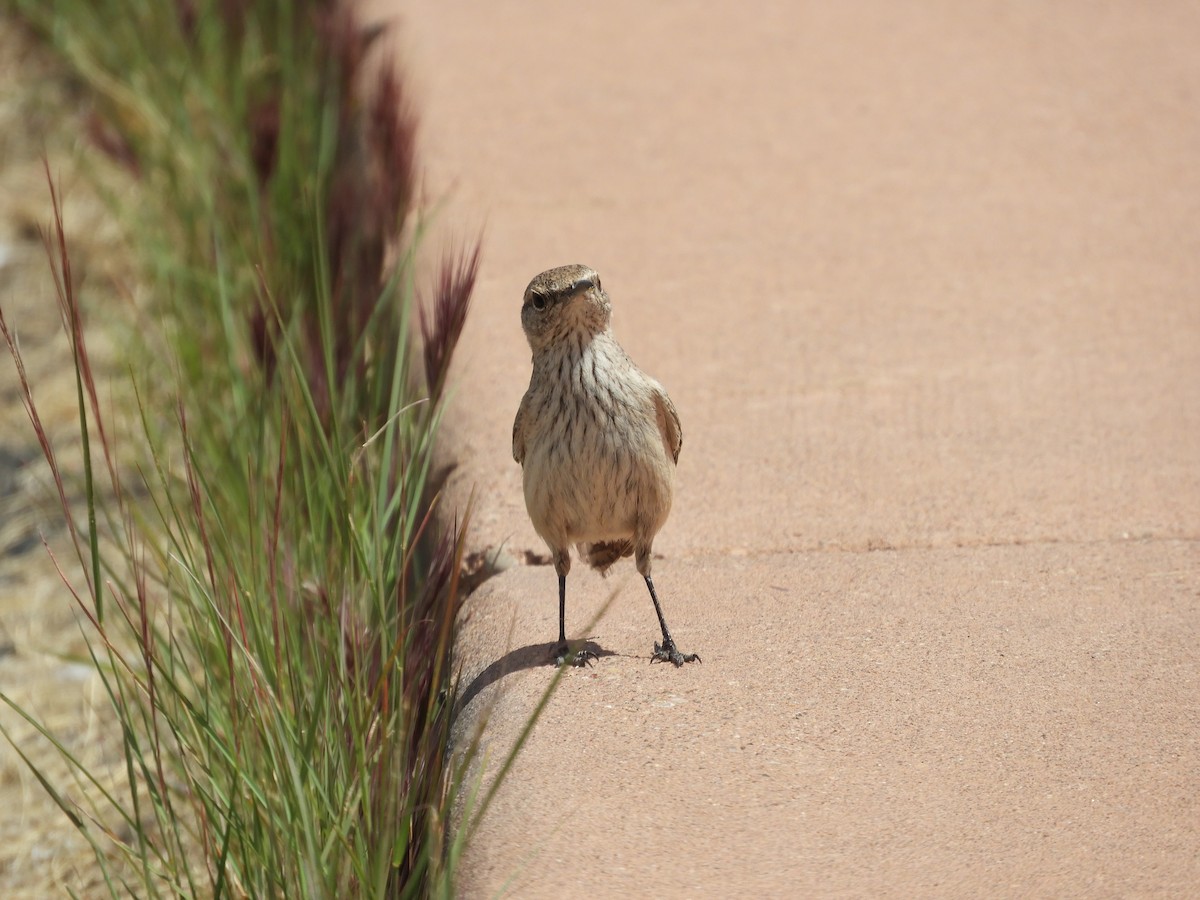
(562, 302)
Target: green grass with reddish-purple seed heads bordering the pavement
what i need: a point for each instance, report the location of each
(267, 598)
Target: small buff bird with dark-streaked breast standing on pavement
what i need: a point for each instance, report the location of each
(597, 439)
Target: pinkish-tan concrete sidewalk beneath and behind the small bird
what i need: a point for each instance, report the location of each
(923, 281)
